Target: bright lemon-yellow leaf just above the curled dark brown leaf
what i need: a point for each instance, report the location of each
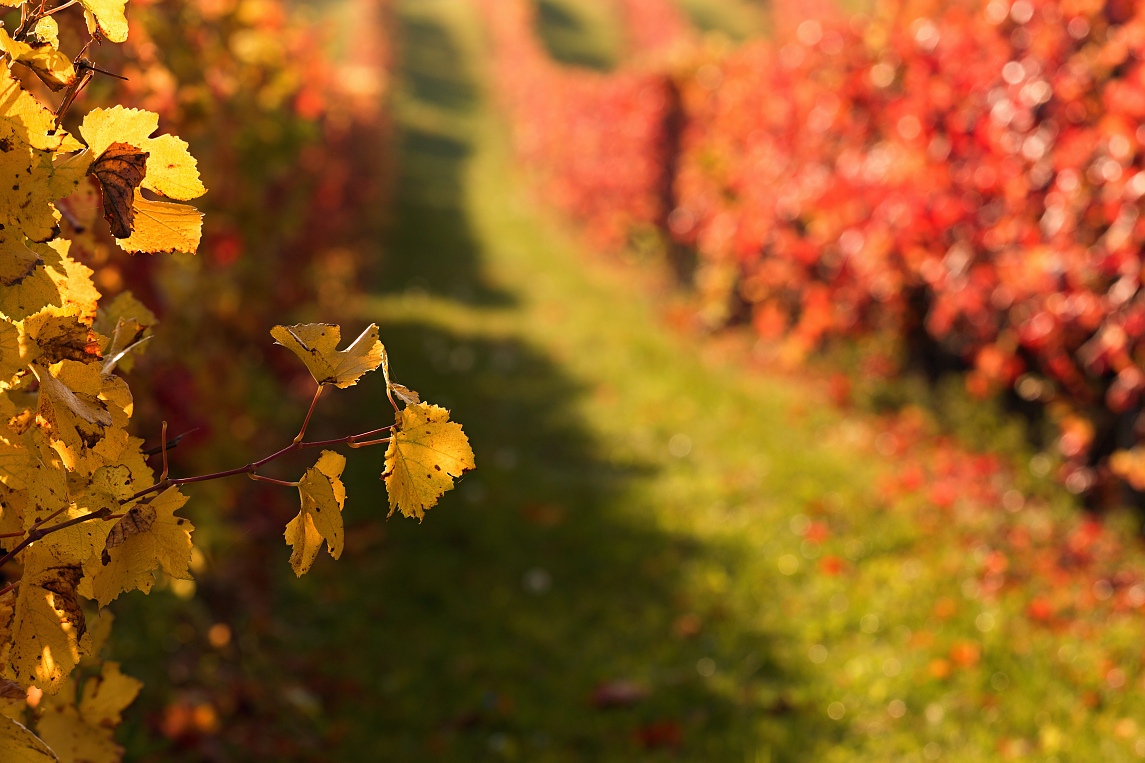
(171, 169)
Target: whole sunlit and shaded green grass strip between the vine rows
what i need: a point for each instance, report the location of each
(633, 572)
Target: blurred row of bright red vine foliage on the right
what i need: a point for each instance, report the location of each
(966, 176)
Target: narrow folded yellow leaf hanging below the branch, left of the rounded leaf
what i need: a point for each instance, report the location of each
(321, 517)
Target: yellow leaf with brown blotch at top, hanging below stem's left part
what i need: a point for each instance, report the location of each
(156, 538)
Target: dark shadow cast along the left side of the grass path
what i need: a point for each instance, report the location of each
(514, 623)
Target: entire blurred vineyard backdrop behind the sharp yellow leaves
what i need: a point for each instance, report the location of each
(800, 345)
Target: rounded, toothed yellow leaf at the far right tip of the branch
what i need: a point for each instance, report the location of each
(427, 454)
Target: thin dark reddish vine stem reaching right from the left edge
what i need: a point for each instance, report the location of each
(40, 531)
